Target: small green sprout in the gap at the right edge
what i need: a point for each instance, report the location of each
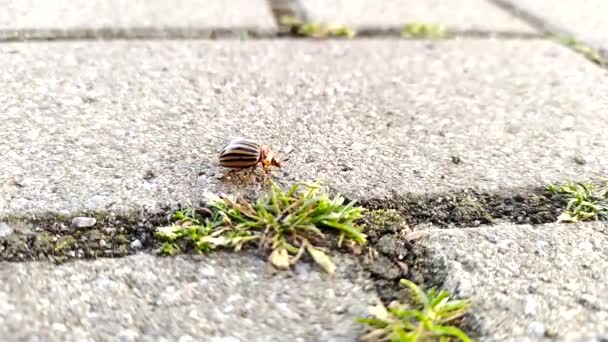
(585, 201)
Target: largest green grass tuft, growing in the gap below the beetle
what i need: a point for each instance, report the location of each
(287, 224)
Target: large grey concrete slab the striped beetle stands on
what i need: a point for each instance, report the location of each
(111, 125)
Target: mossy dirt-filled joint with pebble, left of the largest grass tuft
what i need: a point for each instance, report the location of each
(57, 239)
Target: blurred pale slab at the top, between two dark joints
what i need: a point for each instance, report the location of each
(461, 15)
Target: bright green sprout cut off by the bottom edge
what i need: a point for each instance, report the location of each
(428, 319)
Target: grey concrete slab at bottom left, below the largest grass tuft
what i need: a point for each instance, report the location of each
(217, 298)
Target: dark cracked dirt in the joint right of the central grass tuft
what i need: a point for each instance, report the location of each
(392, 226)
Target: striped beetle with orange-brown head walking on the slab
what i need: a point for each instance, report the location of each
(243, 153)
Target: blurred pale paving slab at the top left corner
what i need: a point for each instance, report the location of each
(84, 18)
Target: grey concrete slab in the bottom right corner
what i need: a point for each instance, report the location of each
(526, 281)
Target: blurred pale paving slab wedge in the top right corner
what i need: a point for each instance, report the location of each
(584, 20)
